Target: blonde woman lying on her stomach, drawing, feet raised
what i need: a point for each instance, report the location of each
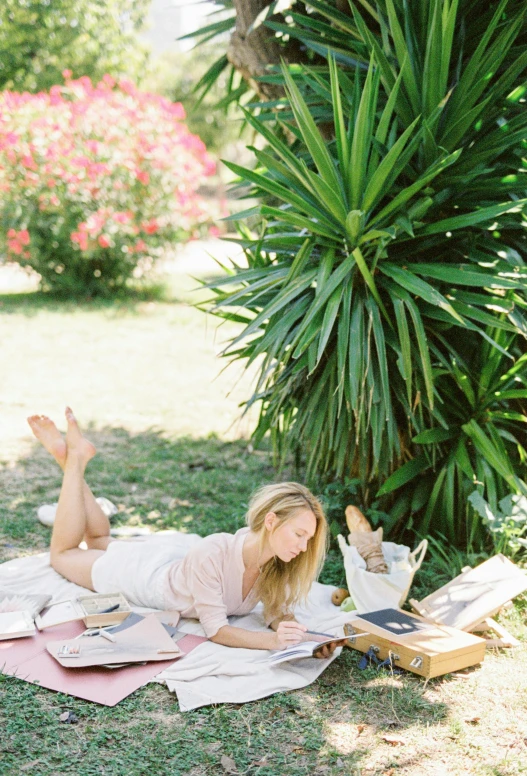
(274, 560)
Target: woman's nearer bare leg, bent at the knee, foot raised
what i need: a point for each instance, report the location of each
(71, 519)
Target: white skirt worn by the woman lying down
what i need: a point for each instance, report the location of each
(138, 568)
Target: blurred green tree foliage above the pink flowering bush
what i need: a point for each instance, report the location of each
(40, 38)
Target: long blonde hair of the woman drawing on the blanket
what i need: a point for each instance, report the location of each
(281, 585)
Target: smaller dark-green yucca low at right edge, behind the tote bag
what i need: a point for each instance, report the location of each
(479, 448)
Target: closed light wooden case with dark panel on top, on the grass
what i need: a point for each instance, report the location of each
(417, 645)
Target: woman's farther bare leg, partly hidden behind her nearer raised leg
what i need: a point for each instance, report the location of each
(97, 535)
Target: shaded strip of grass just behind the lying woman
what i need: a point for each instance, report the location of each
(194, 485)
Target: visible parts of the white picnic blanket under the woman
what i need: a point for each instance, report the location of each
(211, 673)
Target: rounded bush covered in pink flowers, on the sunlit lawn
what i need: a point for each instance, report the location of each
(95, 181)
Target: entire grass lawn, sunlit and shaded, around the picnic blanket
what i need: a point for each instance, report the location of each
(142, 377)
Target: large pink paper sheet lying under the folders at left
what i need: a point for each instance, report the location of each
(28, 659)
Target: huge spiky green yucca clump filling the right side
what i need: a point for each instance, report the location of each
(389, 263)
